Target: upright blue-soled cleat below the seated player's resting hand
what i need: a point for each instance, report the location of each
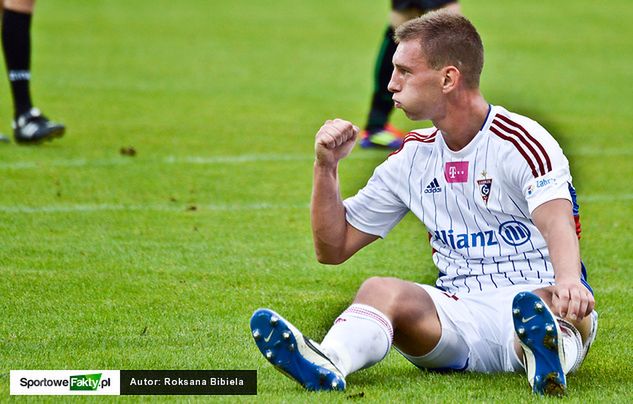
(539, 334)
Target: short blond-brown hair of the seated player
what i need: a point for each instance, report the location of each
(447, 39)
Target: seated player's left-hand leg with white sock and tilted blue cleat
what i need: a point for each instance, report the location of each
(385, 311)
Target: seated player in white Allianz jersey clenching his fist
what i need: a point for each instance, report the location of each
(494, 191)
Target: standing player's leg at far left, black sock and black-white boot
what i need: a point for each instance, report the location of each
(29, 125)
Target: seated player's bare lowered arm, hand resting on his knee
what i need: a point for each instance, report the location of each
(555, 221)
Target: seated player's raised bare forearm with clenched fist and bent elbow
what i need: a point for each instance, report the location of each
(334, 239)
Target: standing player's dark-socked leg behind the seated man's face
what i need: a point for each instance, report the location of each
(378, 132)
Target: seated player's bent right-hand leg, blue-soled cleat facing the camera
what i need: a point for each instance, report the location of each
(551, 347)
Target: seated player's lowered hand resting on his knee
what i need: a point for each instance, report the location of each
(572, 300)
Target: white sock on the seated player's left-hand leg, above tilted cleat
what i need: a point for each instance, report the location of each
(360, 337)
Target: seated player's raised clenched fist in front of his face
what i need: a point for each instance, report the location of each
(334, 141)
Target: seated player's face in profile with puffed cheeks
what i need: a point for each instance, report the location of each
(416, 88)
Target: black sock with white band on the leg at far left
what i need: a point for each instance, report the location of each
(16, 44)
